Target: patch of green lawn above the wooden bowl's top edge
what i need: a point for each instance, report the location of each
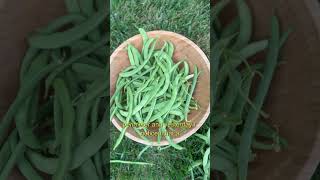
(190, 18)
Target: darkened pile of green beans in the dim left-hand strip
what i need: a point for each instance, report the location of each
(60, 113)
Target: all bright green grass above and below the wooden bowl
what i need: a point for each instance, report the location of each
(190, 18)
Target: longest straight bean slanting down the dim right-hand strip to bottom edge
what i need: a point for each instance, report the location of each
(249, 126)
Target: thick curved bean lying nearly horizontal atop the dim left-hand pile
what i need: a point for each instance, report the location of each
(61, 39)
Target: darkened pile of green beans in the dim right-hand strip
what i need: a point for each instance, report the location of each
(237, 122)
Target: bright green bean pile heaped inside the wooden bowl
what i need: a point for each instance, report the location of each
(153, 89)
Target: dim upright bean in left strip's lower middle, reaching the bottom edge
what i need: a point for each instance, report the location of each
(67, 128)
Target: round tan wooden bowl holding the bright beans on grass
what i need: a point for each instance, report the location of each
(184, 49)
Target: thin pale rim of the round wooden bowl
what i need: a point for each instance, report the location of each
(206, 114)
